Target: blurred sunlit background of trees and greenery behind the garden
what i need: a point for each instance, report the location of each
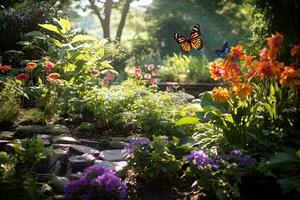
(138, 31)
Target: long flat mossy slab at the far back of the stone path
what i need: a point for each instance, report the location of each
(30, 130)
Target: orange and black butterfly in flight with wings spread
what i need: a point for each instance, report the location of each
(193, 41)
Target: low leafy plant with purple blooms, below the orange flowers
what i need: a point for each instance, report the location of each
(220, 174)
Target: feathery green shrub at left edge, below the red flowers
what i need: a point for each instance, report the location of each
(10, 96)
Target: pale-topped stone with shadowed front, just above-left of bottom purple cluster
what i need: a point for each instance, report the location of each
(79, 162)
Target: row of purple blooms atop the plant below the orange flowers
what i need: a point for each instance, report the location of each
(202, 160)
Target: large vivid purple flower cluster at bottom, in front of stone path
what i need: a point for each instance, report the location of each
(95, 179)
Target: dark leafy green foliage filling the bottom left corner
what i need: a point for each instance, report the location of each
(20, 178)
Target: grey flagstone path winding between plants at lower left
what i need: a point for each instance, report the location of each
(70, 155)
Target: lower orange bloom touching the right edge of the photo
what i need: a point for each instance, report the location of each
(290, 77)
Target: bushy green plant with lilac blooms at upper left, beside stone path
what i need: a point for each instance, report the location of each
(152, 160)
